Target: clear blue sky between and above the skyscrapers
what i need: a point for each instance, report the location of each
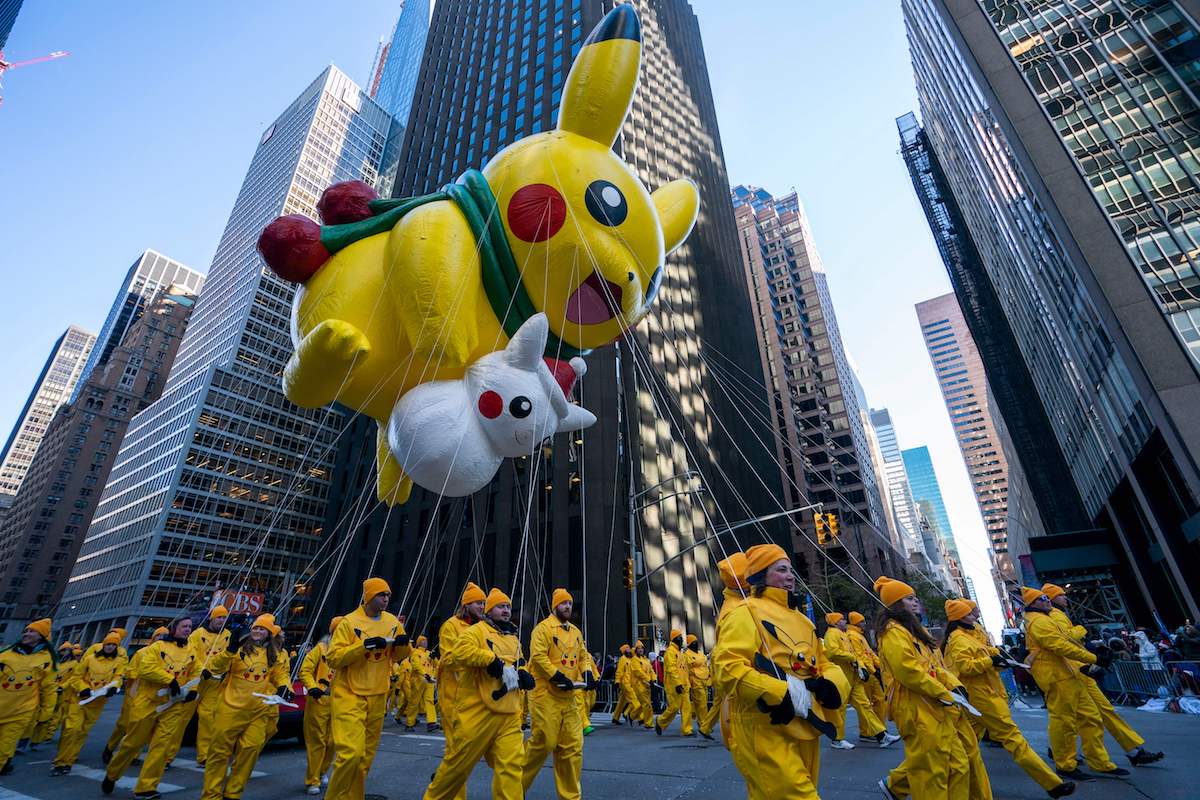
(141, 140)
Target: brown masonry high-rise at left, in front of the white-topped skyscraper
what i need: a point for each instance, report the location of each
(41, 536)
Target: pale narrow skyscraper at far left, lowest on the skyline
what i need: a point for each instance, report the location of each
(58, 380)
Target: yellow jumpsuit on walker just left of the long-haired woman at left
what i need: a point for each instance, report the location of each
(161, 664)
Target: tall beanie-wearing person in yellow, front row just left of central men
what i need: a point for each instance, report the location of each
(362, 651)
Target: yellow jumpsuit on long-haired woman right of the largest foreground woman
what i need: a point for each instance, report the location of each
(937, 763)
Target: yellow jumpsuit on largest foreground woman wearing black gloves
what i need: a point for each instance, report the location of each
(778, 762)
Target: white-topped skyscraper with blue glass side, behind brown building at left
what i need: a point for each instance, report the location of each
(149, 275)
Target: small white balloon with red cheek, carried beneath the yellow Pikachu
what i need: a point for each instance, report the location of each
(452, 436)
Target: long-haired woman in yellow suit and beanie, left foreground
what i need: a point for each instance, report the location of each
(243, 721)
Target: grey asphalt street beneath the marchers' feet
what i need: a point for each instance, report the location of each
(620, 762)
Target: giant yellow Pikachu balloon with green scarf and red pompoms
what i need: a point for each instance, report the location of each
(397, 293)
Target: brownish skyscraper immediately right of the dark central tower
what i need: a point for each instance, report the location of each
(821, 441)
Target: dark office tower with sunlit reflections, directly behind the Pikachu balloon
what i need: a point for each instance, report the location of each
(494, 73)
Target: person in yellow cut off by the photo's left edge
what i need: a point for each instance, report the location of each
(27, 688)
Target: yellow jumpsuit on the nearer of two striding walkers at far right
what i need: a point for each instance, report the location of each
(1054, 659)
